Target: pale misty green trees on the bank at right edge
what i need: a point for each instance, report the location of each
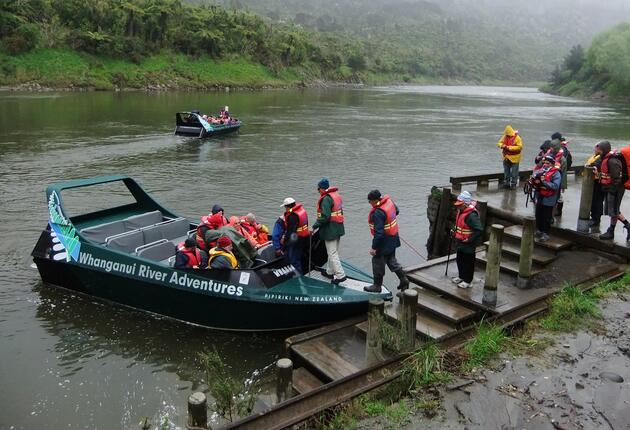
(604, 68)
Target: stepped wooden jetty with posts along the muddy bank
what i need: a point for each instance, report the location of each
(330, 364)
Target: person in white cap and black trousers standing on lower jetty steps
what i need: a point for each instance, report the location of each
(467, 231)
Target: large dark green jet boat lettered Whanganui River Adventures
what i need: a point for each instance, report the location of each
(125, 254)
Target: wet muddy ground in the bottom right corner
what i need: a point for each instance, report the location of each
(582, 381)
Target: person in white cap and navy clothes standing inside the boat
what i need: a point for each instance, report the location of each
(296, 233)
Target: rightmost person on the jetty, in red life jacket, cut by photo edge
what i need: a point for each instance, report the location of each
(611, 179)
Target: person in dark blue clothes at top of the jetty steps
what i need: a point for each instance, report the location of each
(546, 181)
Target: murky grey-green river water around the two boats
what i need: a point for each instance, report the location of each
(68, 362)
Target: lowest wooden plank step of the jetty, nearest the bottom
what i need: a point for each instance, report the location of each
(324, 359)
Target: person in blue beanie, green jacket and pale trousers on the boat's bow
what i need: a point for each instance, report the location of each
(330, 224)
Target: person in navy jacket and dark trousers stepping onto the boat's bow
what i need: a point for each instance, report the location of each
(383, 223)
